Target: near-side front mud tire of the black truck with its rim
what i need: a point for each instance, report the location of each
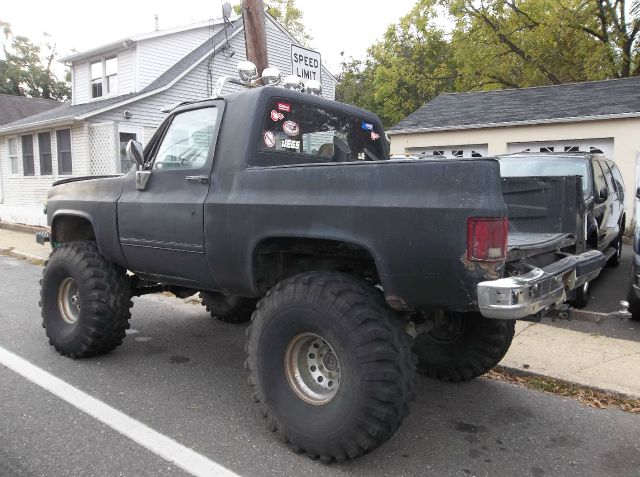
(84, 300)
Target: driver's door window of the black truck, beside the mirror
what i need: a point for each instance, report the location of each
(188, 140)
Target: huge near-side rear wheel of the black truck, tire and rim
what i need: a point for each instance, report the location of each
(330, 364)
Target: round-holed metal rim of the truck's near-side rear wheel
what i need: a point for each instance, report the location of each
(312, 368)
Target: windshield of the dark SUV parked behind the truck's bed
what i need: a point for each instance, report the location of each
(527, 166)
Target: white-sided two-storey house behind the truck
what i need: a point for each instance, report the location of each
(118, 91)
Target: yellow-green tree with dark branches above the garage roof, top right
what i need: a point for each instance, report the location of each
(539, 42)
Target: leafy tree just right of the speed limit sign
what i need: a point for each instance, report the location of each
(411, 65)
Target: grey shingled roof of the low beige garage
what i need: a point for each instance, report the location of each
(573, 102)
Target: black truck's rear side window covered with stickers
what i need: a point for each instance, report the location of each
(301, 133)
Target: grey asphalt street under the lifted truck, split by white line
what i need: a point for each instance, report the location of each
(181, 373)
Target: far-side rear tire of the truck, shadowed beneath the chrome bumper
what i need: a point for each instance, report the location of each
(462, 346)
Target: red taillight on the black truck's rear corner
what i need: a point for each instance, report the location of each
(487, 239)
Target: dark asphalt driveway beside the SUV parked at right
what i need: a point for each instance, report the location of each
(606, 292)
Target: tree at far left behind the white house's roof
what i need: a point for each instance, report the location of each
(26, 69)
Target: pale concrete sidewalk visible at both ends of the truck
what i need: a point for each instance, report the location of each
(583, 358)
